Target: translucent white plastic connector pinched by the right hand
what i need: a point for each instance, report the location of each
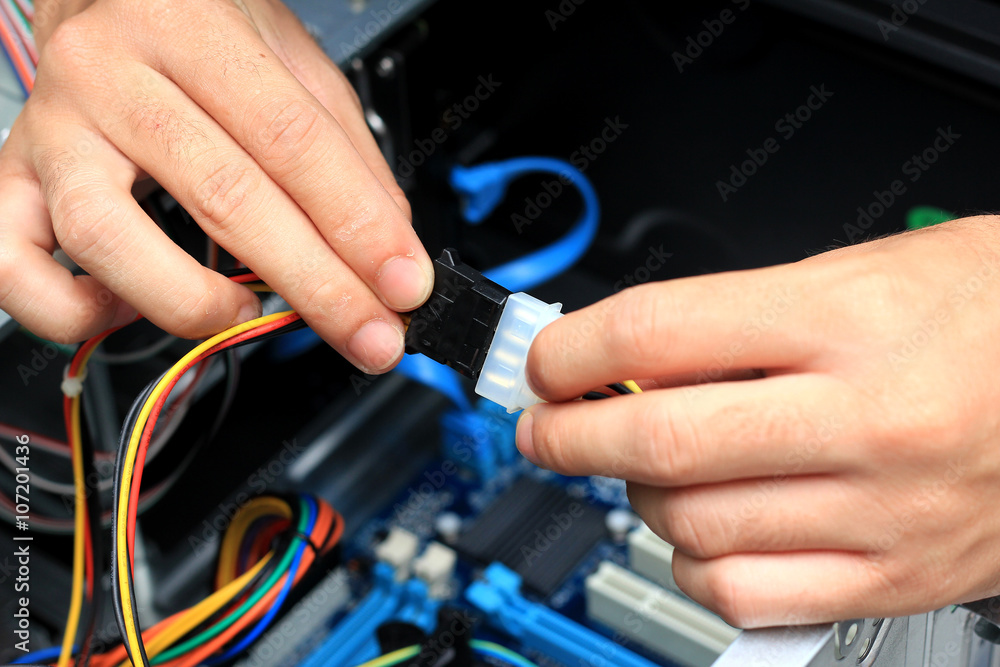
(502, 378)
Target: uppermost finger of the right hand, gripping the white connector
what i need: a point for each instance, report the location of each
(704, 327)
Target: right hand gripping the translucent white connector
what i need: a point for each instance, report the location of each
(819, 440)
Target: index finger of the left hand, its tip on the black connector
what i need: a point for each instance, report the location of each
(246, 88)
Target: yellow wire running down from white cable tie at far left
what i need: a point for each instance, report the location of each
(79, 514)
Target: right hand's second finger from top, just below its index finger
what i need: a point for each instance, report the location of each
(781, 426)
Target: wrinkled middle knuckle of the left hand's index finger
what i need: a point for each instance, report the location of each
(284, 130)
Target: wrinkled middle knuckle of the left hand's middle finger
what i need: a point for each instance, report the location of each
(225, 193)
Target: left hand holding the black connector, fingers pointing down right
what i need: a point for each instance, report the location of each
(232, 107)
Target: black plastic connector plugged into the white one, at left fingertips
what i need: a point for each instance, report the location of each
(456, 325)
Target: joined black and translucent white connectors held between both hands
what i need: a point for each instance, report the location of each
(481, 330)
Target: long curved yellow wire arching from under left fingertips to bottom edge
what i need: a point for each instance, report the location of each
(131, 631)
